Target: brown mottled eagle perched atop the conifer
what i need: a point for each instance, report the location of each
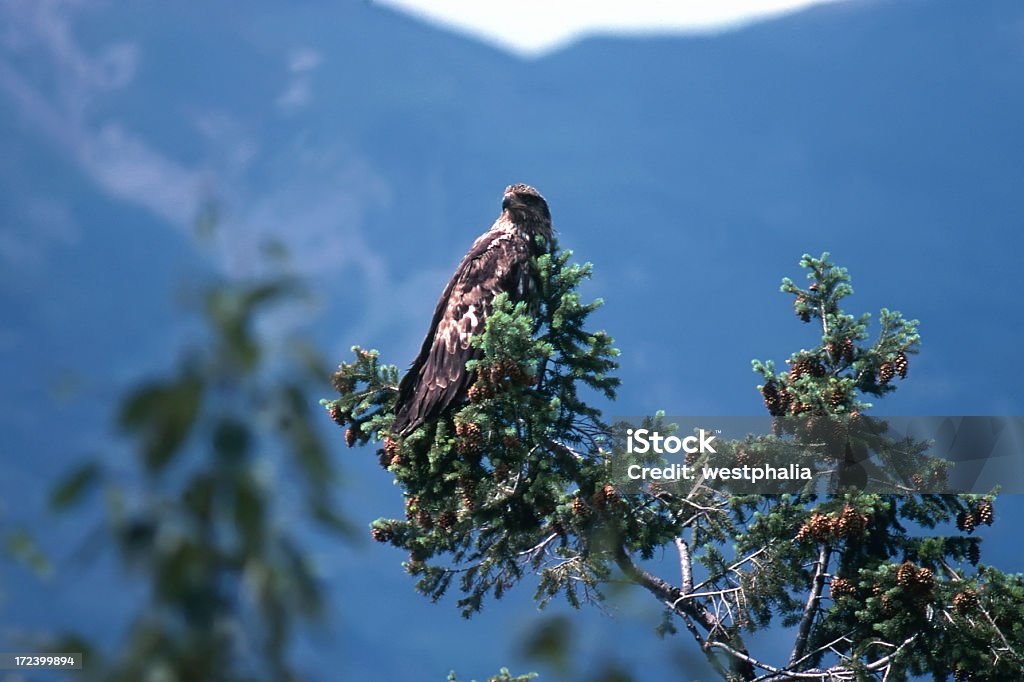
(499, 262)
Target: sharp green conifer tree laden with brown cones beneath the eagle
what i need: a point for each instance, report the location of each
(518, 483)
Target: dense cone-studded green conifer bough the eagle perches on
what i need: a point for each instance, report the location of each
(499, 488)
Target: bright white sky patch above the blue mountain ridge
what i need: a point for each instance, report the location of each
(536, 26)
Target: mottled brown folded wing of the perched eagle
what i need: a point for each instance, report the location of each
(499, 262)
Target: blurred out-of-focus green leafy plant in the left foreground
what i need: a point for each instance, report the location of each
(221, 444)
